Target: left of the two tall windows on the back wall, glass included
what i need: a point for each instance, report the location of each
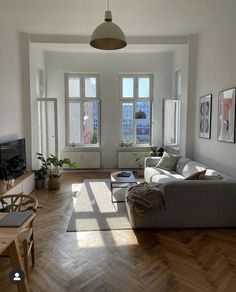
(82, 110)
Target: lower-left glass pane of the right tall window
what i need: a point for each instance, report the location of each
(127, 122)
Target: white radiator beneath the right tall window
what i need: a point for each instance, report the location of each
(127, 160)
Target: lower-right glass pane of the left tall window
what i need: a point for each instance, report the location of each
(91, 115)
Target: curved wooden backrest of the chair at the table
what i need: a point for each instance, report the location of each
(18, 203)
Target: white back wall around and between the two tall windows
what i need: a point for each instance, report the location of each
(109, 65)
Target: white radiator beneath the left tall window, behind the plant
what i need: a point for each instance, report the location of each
(86, 160)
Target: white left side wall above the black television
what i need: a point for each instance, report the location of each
(11, 101)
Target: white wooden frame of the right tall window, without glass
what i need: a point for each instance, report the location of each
(134, 100)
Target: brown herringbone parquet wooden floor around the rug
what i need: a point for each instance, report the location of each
(123, 260)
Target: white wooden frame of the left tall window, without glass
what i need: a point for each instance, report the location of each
(81, 100)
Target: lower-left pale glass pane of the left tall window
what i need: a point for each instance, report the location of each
(74, 123)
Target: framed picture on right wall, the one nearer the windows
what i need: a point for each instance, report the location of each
(205, 116)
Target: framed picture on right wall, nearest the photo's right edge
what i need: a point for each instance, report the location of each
(226, 116)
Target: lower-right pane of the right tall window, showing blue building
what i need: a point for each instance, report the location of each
(143, 126)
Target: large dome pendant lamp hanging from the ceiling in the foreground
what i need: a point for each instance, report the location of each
(108, 35)
